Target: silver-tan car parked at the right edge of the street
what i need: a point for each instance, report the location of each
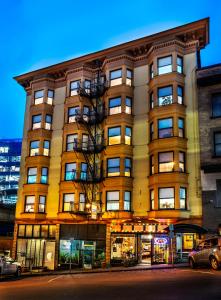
(208, 252)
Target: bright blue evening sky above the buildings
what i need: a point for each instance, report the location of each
(38, 33)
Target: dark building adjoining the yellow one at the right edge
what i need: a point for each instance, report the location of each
(209, 95)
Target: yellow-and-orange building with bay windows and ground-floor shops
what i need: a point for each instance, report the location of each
(110, 155)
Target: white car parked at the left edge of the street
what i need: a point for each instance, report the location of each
(8, 266)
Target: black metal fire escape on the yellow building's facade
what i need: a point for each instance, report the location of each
(90, 117)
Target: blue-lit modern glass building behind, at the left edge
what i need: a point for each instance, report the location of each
(10, 156)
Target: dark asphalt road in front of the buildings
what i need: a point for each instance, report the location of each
(168, 284)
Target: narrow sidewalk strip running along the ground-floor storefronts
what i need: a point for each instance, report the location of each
(140, 267)
